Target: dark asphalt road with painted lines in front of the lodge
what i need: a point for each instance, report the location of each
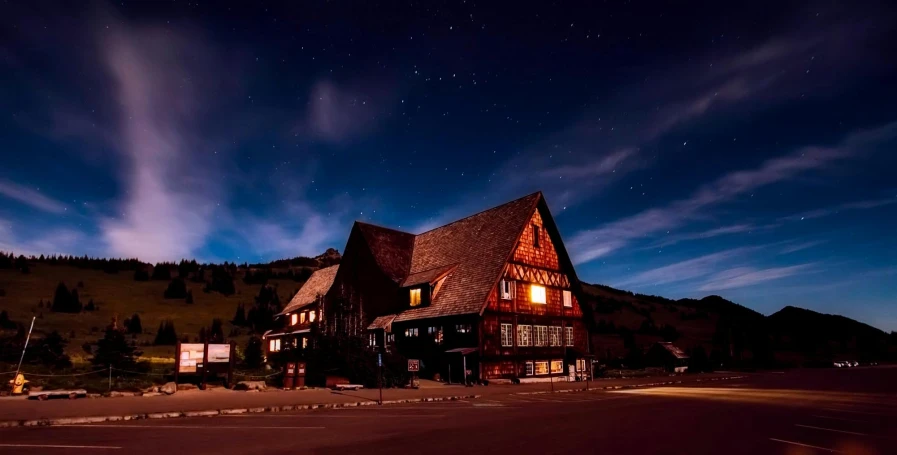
(799, 412)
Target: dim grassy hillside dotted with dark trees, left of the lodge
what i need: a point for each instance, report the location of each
(119, 295)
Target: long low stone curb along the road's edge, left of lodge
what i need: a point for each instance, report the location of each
(210, 413)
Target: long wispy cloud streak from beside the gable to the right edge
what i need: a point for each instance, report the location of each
(592, 244)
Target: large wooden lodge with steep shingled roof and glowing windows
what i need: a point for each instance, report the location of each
(494, 293)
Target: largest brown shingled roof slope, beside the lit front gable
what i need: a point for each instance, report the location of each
(479, 246)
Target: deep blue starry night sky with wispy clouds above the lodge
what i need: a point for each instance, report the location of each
(685, 148)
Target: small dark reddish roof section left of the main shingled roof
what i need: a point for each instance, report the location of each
(391, 249)
